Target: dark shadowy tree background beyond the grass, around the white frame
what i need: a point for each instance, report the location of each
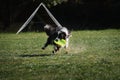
(74, 14)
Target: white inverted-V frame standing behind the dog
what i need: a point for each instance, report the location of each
(33, 14)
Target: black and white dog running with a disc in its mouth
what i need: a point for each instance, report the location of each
(56, 33)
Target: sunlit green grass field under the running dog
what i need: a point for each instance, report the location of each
(92, 55)
